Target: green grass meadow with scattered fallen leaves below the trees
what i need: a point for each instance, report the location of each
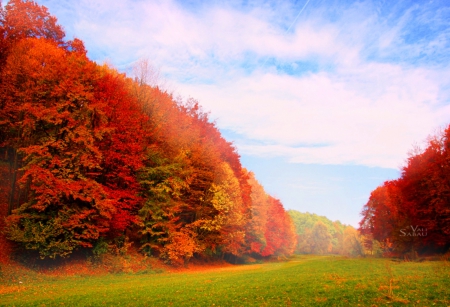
(301, 281)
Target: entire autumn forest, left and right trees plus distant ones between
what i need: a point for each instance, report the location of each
(92, 159)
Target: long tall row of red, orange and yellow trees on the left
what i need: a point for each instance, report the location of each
(95, 156)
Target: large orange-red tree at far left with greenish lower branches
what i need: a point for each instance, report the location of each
(48, 112)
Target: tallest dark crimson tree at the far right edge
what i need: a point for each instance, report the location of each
(426, 190)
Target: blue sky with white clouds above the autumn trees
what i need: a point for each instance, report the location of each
(323, 99)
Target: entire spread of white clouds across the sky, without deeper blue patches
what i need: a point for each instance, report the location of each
(351, 110)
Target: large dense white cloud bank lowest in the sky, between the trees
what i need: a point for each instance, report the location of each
(370, 116)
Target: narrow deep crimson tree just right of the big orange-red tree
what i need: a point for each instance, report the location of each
(122, 147)
